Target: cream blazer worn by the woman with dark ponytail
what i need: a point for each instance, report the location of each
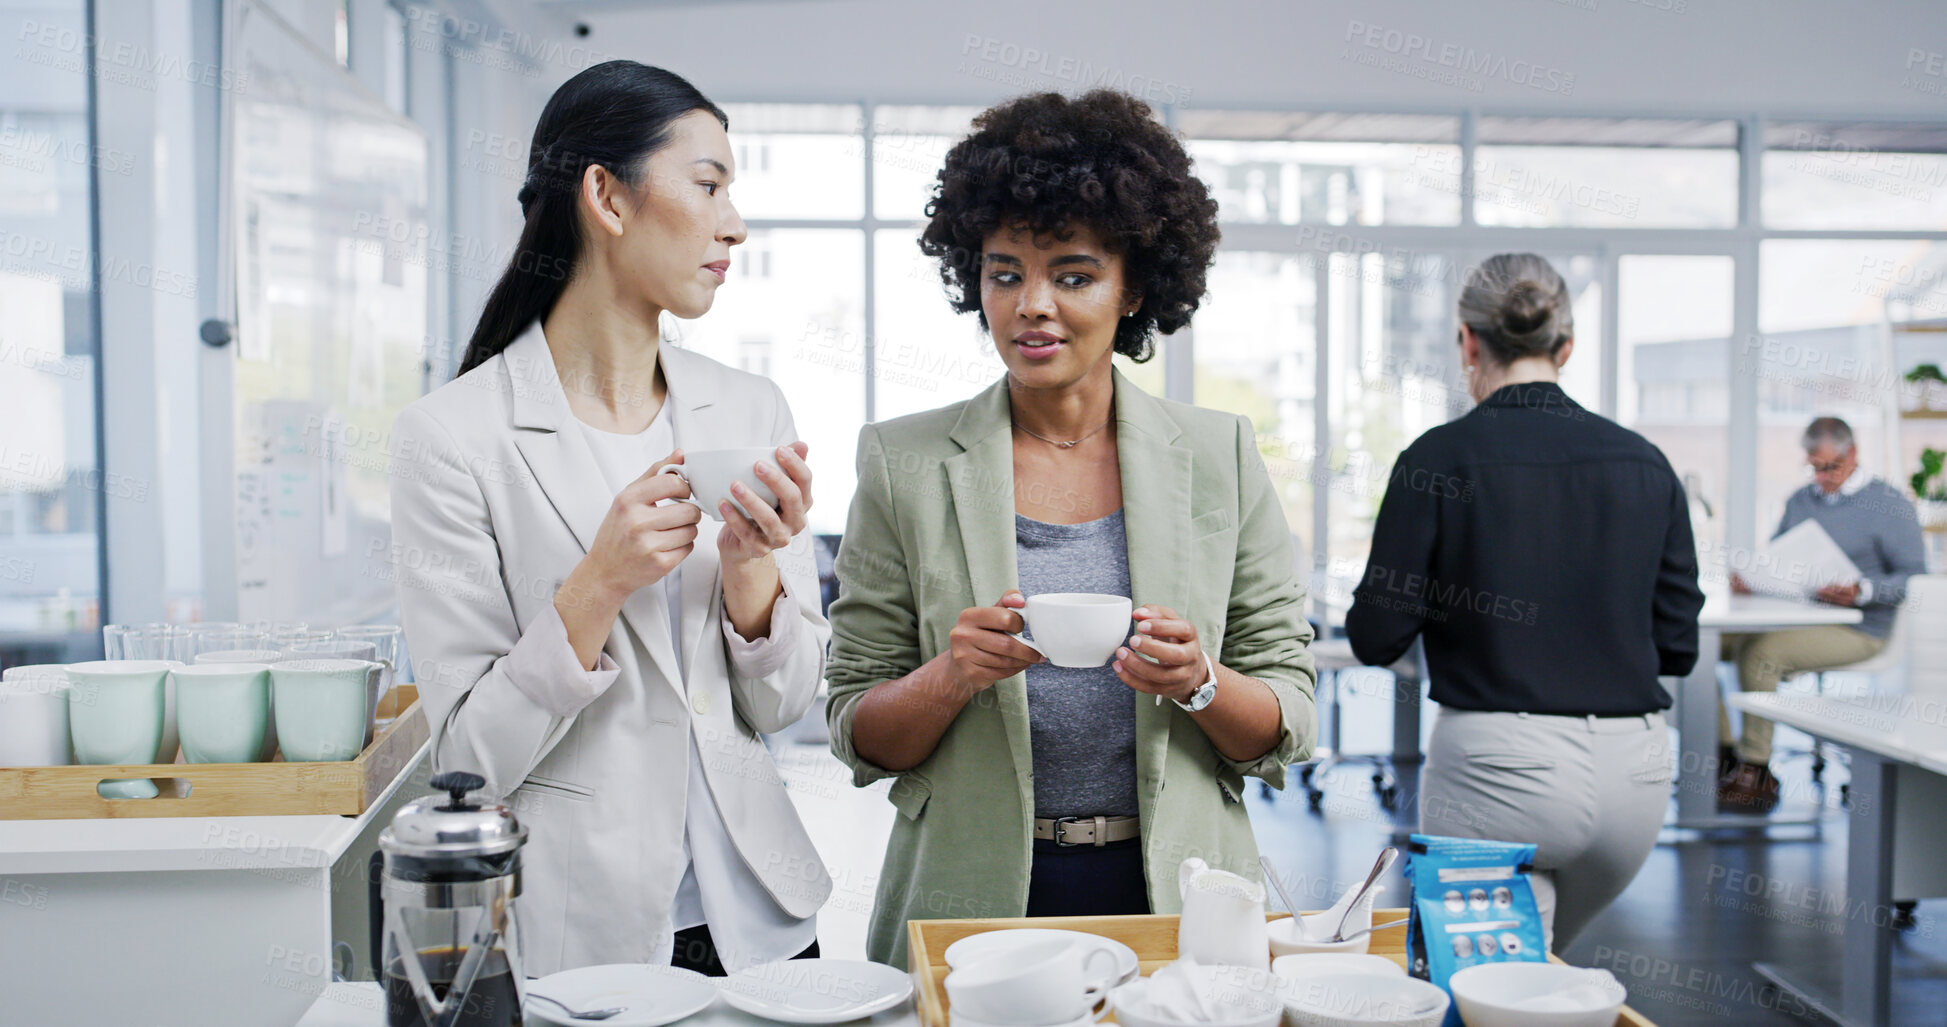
(496, 498)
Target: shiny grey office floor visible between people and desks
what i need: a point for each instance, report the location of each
(1683, 938)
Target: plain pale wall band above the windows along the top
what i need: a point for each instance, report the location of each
(1777, 57)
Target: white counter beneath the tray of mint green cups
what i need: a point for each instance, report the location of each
(182, 921)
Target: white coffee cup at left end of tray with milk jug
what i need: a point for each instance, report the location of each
(1037, 985)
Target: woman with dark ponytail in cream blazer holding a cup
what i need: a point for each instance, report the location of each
(603, 654)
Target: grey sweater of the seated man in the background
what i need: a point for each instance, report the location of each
(1878, 531)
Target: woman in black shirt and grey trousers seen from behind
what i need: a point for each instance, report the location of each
(1545, 556)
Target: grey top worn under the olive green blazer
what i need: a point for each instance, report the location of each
(1082, 720)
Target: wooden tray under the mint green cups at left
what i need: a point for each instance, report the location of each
(227, 790)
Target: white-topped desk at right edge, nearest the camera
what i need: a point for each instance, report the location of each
(1899, 763)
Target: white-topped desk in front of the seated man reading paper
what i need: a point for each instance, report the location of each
(1697, 699)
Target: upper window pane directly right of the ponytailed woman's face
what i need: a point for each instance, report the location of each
(797, 161)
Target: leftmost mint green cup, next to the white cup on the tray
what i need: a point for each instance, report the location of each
(116, 714)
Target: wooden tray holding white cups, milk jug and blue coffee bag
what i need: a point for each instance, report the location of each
(1154, 940)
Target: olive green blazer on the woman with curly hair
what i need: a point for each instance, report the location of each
(932, 533)
